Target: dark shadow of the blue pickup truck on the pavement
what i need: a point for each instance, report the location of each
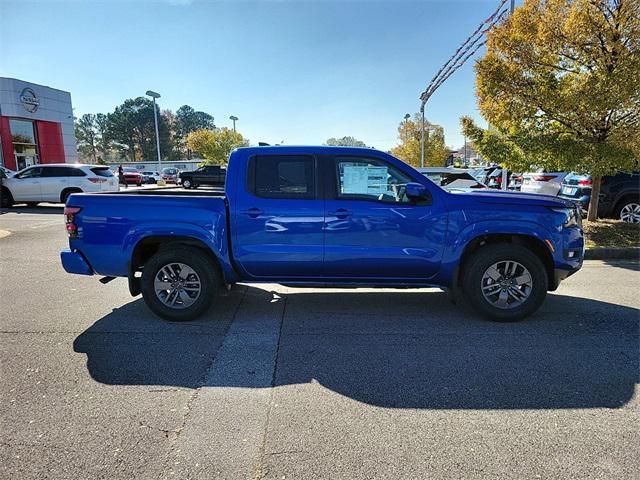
(395, 350)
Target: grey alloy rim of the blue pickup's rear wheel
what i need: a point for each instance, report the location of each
(177, 285)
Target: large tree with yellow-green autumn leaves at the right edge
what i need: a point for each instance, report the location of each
(560, 82)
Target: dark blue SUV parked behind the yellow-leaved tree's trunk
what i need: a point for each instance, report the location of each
(619, 194)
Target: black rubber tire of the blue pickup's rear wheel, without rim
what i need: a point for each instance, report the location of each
(202, 265)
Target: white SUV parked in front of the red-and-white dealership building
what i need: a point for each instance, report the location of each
(54, 182)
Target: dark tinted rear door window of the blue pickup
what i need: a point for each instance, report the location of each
(282, 176)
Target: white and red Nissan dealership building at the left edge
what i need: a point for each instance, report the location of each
(36, 125)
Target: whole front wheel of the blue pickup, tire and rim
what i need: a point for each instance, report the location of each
(505, 282)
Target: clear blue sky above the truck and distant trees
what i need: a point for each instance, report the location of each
(290, 70)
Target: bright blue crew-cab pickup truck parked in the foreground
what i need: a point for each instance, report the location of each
(325, 216)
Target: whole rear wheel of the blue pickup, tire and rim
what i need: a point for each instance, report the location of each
(179, 283)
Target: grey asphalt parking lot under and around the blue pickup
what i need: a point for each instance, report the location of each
(304, 383)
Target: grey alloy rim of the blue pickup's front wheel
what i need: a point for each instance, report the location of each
(506, 284)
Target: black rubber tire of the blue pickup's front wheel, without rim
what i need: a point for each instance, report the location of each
(487, 256)
